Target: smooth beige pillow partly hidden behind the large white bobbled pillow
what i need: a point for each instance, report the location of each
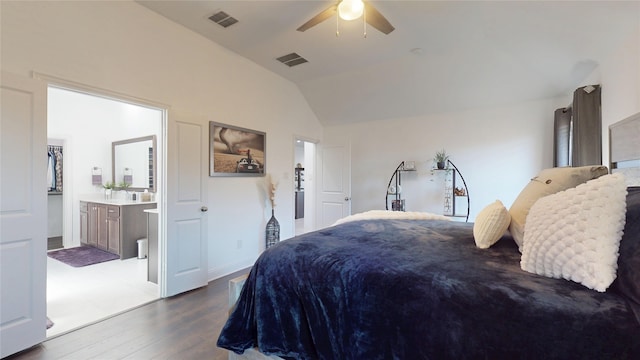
(547, 182)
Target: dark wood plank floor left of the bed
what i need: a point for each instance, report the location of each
(185, 326)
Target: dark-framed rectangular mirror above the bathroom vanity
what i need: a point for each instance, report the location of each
(134, 162)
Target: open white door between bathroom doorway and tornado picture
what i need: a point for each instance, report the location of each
(184, 250)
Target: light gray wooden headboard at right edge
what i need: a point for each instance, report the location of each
(624, 148)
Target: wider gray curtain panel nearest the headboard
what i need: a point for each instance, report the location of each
(586, 146)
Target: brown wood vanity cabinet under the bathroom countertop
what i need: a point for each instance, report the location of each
(114, 228)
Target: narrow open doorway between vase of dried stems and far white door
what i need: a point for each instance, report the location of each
(304, 186)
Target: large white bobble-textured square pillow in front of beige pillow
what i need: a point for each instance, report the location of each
(575, 234)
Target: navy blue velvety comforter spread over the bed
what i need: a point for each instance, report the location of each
(419, 289)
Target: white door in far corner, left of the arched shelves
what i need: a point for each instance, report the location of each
(334, 184)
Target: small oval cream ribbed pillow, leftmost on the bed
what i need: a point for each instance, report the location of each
(490, 224)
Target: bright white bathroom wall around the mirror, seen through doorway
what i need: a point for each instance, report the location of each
(88, 125)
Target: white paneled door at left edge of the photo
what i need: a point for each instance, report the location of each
(23, 206)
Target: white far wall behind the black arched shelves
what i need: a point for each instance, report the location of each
(497, 151)
